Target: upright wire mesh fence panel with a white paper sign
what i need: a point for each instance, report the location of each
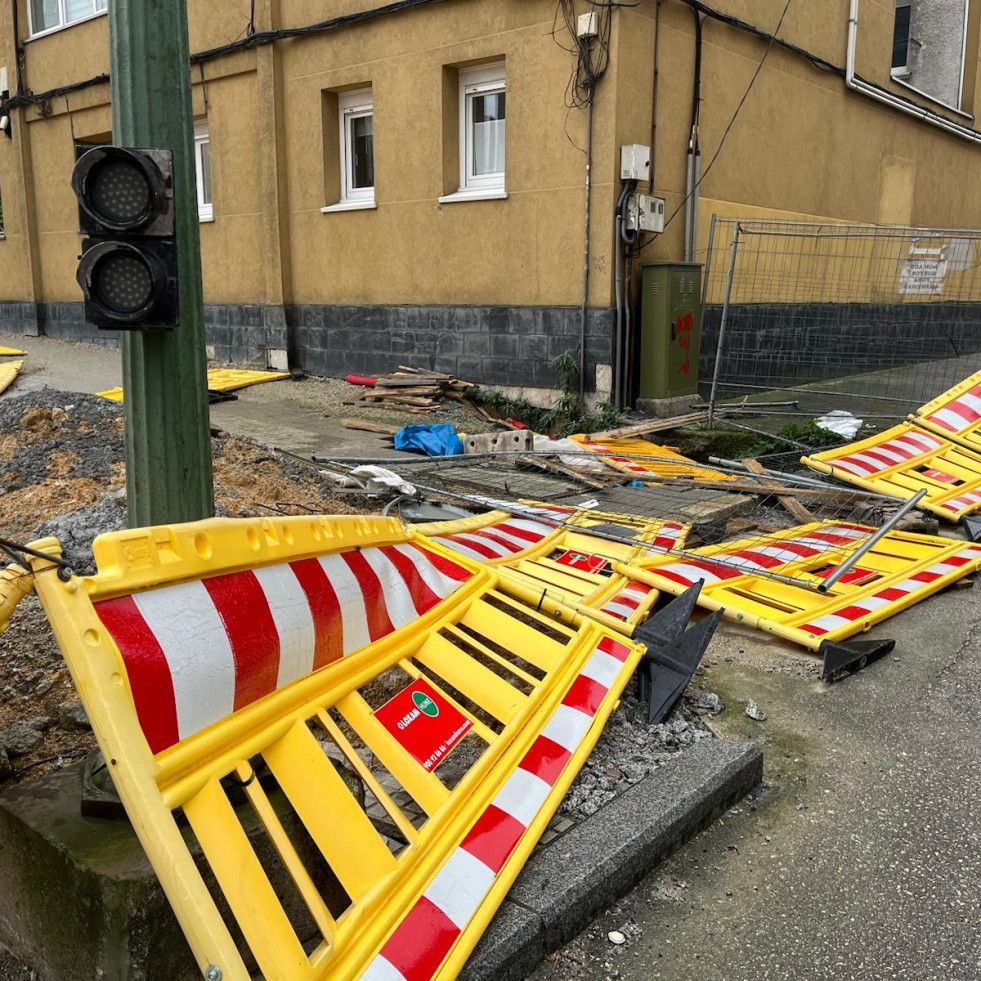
(873, 320)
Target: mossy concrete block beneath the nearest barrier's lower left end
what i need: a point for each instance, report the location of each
(81, 901)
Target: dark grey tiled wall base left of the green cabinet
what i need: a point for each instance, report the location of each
(492, 345)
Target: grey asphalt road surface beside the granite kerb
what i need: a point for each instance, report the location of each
(861, 859)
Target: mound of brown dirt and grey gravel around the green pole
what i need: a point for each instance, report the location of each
(62, 473)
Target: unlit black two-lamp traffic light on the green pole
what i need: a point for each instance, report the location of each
(128, 266)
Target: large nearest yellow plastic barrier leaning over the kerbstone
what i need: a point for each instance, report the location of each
(243, 651)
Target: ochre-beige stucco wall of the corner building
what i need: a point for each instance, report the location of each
(804, 145)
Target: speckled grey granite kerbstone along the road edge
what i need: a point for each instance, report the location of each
(569, 882)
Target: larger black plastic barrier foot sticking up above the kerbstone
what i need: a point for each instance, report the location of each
(673, 652)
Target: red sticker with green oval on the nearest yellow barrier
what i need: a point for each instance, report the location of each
(423, 723)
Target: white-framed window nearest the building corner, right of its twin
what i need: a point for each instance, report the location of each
(483, 103)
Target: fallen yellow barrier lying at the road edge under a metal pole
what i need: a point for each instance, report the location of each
(899, 571)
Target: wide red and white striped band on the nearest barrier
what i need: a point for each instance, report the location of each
(197, 651)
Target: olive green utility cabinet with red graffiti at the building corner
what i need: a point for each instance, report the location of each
(670, 329)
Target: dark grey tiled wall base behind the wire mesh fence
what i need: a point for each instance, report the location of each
(792, 344)
